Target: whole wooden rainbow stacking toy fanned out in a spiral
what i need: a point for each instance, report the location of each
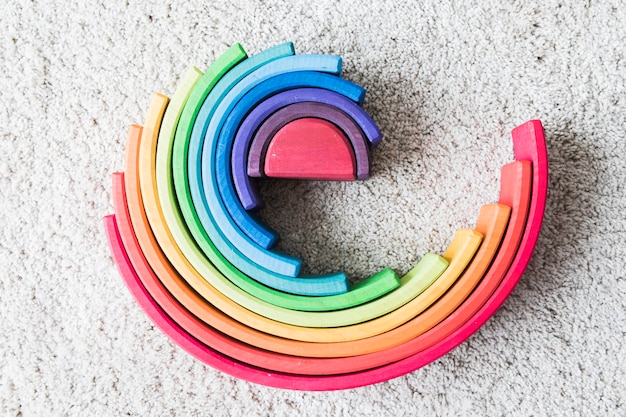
(201, 265)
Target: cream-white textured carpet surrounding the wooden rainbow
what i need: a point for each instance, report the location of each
(446, 82)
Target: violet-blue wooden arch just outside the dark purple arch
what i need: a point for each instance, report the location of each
(246, 190)
